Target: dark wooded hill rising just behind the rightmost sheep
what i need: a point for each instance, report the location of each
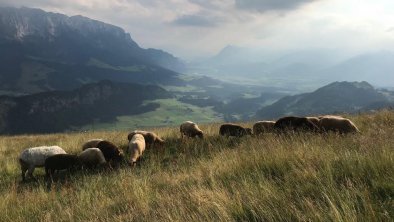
(336, 97)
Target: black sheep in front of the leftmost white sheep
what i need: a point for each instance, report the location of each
(60, 162)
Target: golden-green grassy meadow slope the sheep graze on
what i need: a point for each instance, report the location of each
(300, 177)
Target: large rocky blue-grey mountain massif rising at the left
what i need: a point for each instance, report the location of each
(43, 51)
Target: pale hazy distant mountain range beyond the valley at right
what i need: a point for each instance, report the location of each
(298, 70)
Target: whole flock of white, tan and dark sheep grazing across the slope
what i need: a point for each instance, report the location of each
(99, 153)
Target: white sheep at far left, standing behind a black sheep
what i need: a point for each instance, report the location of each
(34, 157)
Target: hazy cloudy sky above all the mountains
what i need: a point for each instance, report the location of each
(193, 28)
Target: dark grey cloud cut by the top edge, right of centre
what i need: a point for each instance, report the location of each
(270, 5)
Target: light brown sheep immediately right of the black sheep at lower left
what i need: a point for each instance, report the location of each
(92, 157)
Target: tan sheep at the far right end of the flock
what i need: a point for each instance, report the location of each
(338, 124)
